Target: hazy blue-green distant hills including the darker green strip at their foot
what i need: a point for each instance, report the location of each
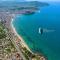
(13, 5)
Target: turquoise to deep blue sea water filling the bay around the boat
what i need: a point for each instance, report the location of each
(28, 26)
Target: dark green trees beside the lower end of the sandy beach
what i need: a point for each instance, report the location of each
(28, 54)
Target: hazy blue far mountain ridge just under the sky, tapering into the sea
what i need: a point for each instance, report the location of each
(23, 3)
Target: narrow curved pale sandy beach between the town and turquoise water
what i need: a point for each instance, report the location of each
(22, 42)
